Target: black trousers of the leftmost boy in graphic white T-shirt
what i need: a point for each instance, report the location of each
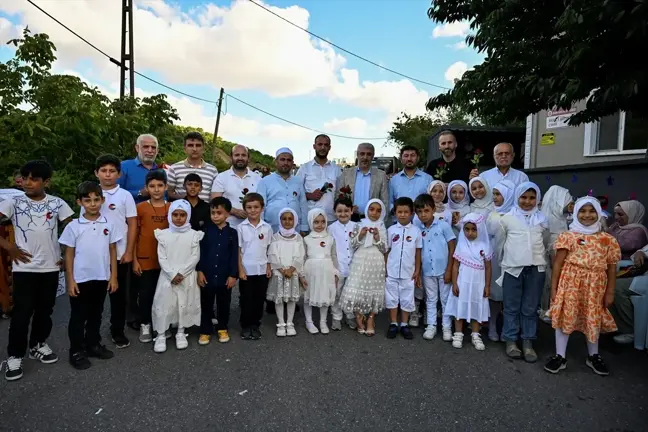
(34, 295)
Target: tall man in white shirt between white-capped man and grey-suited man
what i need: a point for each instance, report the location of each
(319, 177)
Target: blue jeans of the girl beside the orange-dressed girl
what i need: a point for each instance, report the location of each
(521, 301)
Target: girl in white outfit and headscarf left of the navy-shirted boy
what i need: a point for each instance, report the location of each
(177, 296)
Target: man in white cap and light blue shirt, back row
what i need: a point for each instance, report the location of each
(281, 189)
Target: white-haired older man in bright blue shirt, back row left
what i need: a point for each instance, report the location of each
(134, 171)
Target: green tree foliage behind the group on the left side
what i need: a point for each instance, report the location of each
(65, 121)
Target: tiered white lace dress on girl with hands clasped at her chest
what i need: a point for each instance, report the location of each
(364, 290)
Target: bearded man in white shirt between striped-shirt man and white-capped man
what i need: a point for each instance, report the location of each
(235, 183)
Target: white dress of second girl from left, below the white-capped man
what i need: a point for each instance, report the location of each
(284, 253)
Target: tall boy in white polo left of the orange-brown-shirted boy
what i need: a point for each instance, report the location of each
(120, 210)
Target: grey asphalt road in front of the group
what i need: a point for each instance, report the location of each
(342, 381)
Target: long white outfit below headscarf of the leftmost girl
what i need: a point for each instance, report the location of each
(177, 304)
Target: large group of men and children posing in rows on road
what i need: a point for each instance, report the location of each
(166, 246)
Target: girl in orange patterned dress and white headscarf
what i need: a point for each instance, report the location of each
(582, 284)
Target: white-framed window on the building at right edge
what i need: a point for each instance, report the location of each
(621, 133)
